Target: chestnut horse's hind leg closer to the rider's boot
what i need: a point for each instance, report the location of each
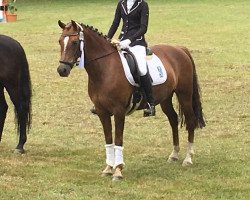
(168, 109)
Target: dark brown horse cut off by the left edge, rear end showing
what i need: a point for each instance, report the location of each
(15, 78)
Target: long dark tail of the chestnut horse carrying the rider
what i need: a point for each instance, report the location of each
(196, 96)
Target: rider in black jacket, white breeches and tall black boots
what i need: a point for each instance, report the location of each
(135, 15)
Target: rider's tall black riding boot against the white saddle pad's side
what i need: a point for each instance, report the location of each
(147, 86)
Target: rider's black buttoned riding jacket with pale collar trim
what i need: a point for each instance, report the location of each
(135, 23)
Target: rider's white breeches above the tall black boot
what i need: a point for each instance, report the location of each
(140, 55)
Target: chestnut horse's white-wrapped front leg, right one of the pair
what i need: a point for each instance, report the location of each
(119, 128)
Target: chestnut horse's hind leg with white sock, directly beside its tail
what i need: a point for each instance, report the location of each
(186, 106)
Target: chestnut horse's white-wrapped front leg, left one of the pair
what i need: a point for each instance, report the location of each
(109, 146)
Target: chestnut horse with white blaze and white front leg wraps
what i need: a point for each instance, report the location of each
(110, 91)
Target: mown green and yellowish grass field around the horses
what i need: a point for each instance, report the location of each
(65, 147)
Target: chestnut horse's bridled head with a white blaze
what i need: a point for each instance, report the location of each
(70, 46)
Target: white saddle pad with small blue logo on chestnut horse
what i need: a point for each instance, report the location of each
(156, 70)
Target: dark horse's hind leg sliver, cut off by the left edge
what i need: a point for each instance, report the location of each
(3, 110)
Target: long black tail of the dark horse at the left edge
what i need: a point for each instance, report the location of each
(24, 105)
